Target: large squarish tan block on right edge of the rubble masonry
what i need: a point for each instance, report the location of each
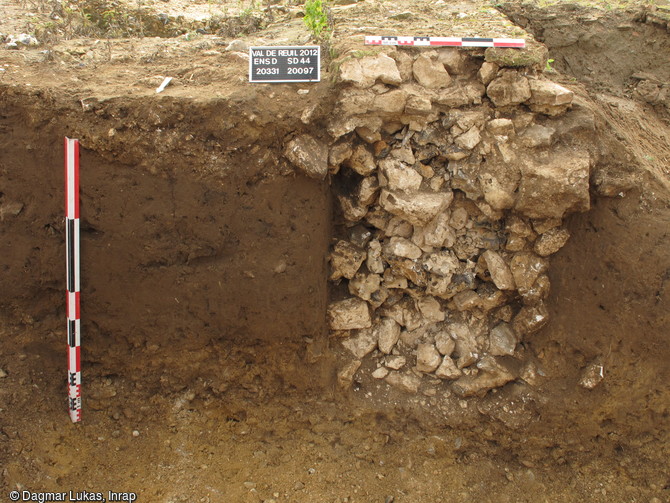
(554, 185)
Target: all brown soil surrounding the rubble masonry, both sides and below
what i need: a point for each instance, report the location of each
(204, 294)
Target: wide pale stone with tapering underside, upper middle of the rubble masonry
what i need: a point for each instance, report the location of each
(418, 209)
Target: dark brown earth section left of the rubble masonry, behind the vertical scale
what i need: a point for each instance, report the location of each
(190, 230)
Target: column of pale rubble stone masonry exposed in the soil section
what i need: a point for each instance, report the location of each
(452, 176)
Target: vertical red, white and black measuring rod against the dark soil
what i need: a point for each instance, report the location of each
(72, 273)
